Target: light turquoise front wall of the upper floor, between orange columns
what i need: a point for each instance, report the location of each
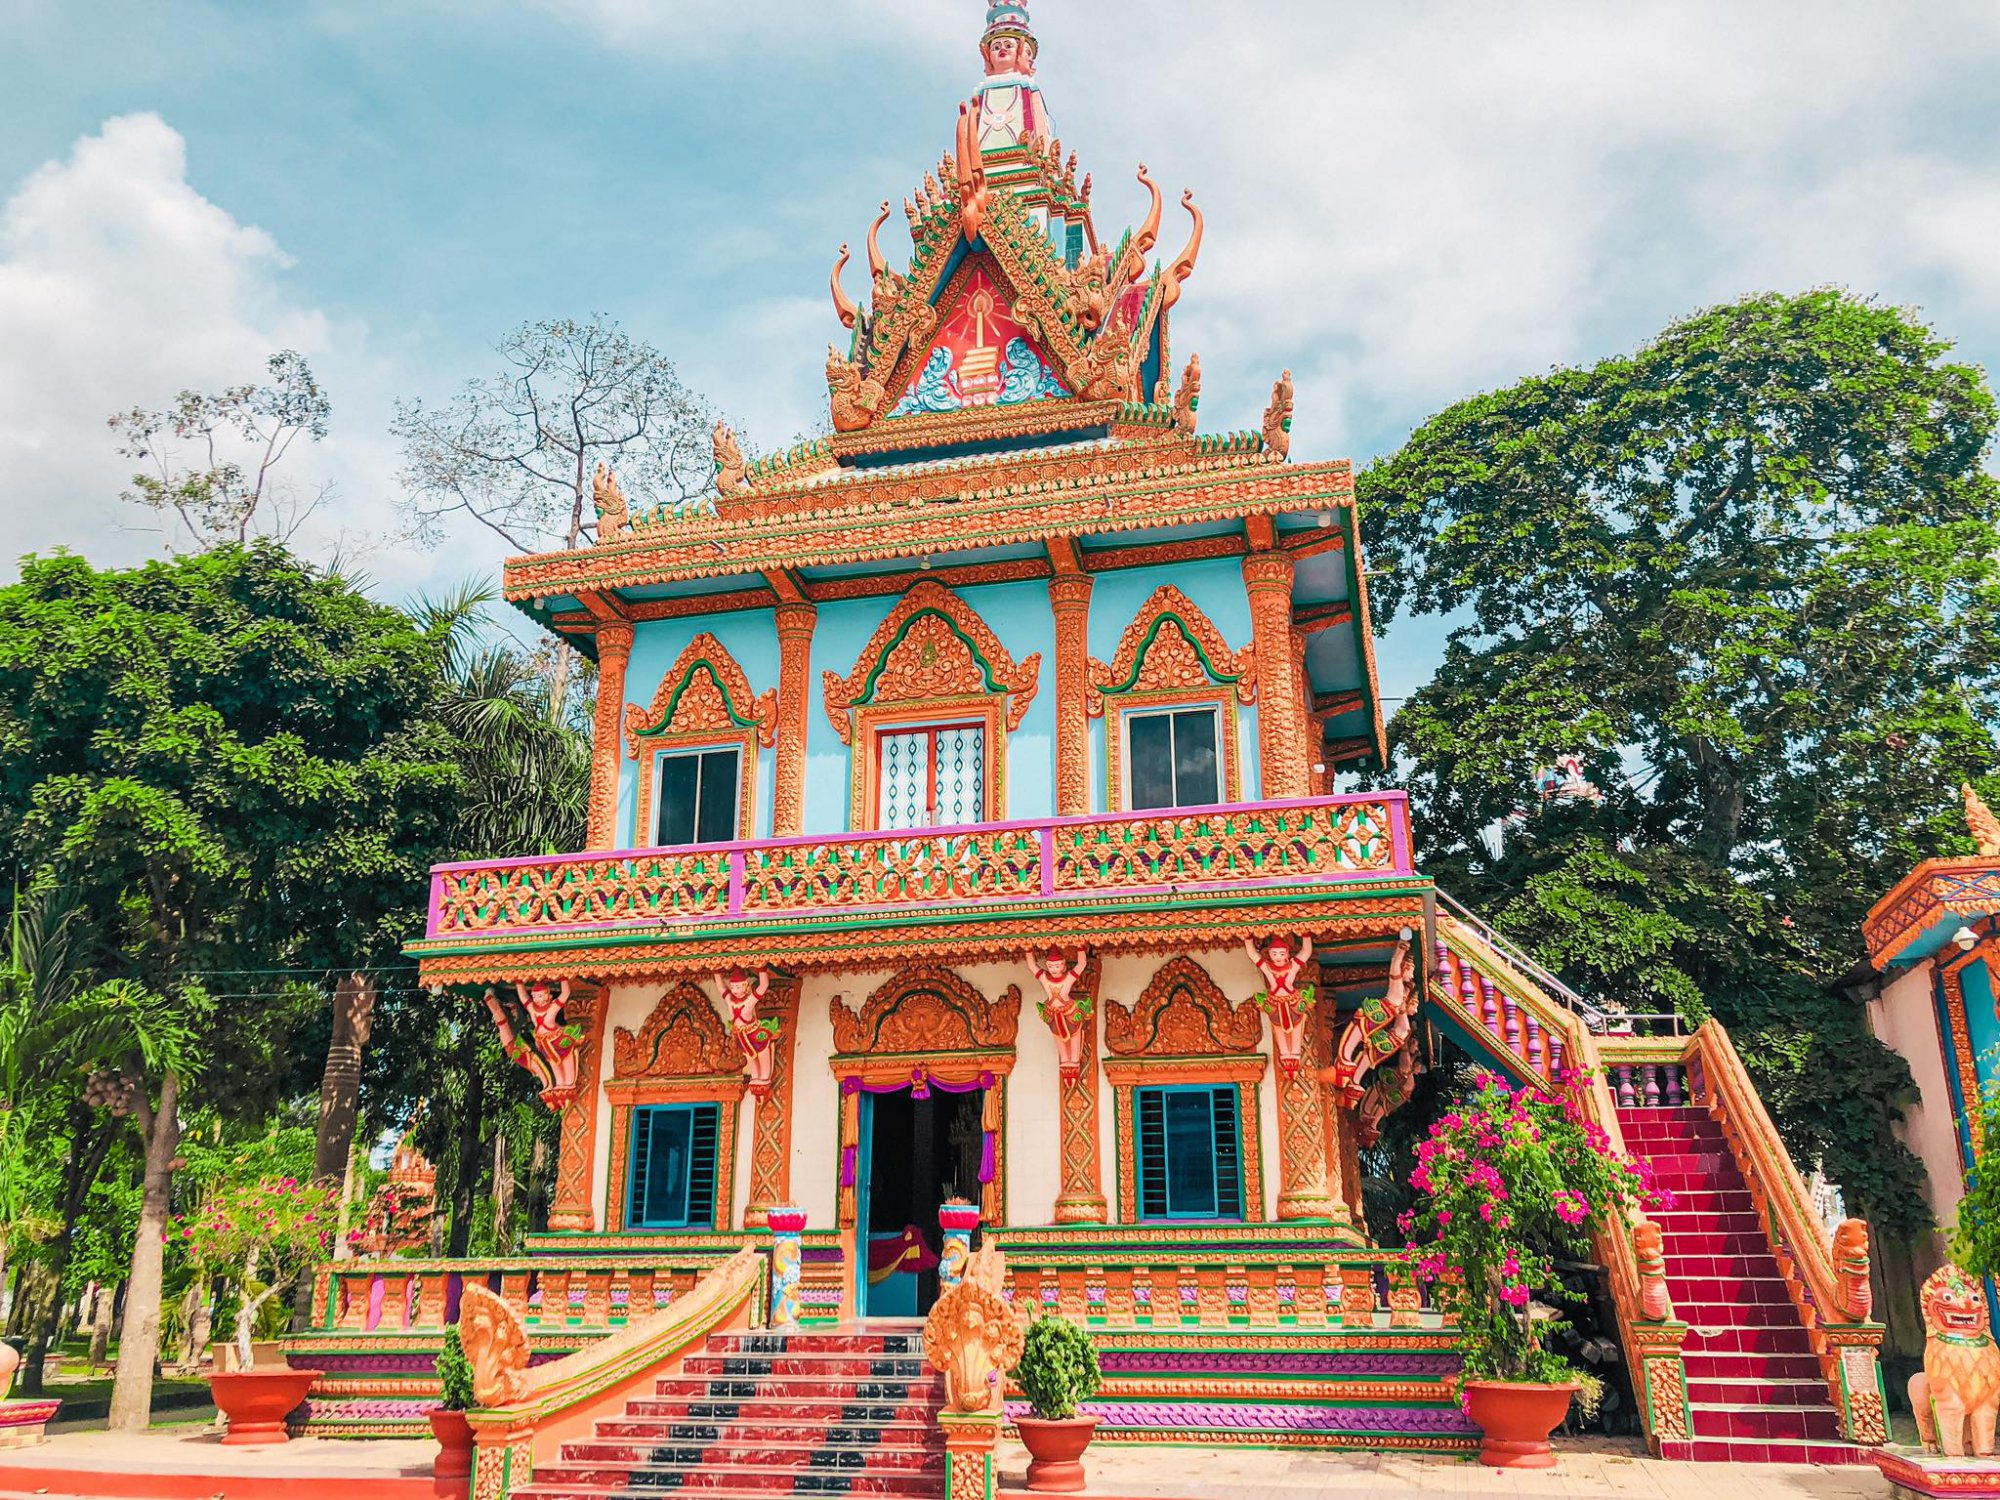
(1019, 615)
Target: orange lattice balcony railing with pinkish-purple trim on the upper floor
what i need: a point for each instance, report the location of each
(1171, 851)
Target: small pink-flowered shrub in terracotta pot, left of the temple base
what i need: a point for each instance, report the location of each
(263, 1233)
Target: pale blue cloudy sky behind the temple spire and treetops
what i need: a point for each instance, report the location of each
(1407, 203)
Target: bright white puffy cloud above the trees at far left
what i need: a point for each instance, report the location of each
(121, 285)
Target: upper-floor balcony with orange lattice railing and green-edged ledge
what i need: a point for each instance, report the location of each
(1251, 855)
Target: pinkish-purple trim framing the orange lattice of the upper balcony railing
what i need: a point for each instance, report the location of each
(733, 857)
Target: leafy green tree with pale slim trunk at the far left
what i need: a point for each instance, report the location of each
(233, 759)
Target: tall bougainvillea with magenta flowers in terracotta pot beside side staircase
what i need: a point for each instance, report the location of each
(1507, 1183)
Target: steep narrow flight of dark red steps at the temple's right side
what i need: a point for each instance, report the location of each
(1755, 1387)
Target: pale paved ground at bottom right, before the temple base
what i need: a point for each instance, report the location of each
(1609, 1469)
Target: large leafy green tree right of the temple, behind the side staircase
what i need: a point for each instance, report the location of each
(1747, 577)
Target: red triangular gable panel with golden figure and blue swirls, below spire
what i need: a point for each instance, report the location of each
(981, 353)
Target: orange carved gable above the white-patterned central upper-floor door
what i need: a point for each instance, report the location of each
(933, 647)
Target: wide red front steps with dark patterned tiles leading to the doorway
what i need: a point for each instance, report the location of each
(757, 1415)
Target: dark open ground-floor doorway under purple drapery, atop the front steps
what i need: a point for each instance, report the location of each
(917, 1153)
